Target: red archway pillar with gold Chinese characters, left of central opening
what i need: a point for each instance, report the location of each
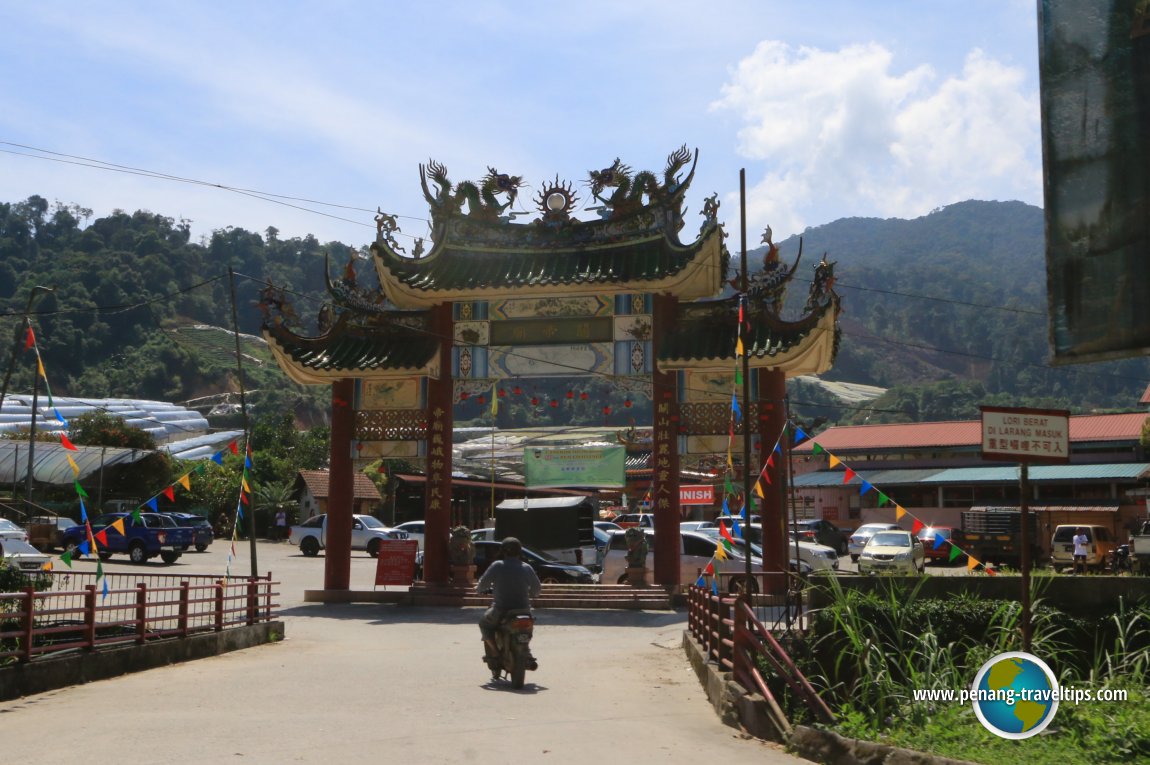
(441, 423)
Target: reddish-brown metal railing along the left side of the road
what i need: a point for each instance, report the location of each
(79, 615)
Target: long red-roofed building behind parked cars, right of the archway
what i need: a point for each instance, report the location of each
(934, 471)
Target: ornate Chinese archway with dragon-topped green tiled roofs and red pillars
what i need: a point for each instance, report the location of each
(499, 304)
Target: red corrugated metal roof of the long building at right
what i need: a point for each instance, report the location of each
(964, 433)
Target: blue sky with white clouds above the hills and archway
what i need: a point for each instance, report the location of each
(835, 109)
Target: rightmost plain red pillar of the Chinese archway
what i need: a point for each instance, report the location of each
(772, 418)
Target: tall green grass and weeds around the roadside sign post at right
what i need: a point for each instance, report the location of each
(869, 653)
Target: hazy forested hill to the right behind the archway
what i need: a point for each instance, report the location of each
(950, 311)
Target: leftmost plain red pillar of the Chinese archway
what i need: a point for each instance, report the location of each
(338, 556)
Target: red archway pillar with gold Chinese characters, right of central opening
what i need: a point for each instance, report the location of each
(665, 456)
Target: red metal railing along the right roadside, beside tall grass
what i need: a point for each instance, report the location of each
(735, 639)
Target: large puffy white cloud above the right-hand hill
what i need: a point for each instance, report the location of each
(841, 134)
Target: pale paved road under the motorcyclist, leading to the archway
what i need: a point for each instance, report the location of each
(358, 684)
